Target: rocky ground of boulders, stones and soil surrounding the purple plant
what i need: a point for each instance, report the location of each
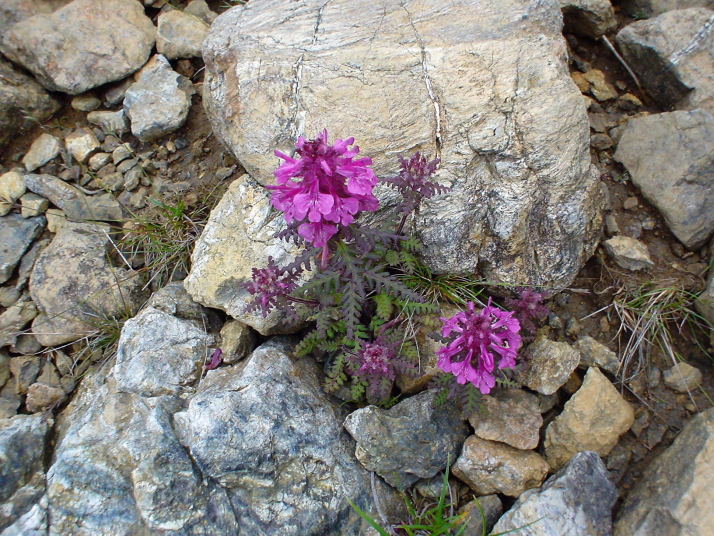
(570, 170)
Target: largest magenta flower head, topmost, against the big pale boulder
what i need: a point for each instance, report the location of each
(324, 187)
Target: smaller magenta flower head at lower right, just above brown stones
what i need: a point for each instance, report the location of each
(481, 341)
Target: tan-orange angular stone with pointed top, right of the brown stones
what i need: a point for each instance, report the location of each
(593, 419)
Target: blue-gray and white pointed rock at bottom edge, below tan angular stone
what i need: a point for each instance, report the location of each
(576, 501)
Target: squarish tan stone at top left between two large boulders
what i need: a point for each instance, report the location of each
(180, 35)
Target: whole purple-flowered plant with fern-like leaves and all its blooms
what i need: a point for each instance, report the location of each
(357, 294)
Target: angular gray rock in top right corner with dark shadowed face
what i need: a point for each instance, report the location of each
(673, 54)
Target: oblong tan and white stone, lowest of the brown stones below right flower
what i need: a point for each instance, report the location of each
(489, 467)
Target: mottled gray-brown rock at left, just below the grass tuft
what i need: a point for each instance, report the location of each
(76, 287)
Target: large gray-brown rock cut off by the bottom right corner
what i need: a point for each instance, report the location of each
(674, 495)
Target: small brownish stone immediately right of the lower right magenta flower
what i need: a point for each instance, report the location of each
(547, 365)
